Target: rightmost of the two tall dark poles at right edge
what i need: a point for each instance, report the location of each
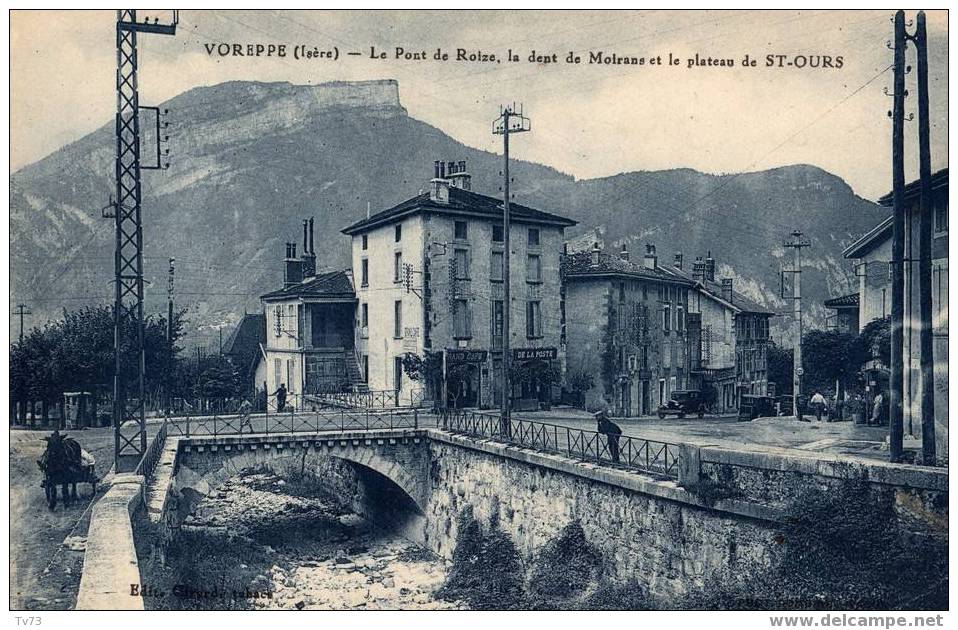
(925, 210)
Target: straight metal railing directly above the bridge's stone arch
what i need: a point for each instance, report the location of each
(295, 422)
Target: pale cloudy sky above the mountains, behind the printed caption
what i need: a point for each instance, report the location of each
(588, 120)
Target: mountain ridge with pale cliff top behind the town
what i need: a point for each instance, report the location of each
(251, 160)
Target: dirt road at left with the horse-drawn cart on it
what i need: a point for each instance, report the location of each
(37, 534)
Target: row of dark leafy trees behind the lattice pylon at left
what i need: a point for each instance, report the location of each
(76, 354)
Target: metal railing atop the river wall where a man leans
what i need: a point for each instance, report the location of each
(659, 458)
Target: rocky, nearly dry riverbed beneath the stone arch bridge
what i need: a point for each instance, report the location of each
(262, 542)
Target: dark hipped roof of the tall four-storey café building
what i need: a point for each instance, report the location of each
(463, 202)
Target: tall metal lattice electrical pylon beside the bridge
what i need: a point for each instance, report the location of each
(129, 418)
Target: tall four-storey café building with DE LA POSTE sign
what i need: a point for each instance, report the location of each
(429, 280)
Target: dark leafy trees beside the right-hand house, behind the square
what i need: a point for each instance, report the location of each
(831, 357)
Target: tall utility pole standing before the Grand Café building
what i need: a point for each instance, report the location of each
(508, 122)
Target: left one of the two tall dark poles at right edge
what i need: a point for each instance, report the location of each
(895, 381)
